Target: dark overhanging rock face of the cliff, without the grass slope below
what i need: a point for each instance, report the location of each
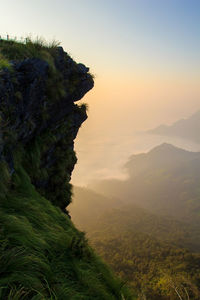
(39, 118)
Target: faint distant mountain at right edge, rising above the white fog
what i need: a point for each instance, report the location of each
(185, 128)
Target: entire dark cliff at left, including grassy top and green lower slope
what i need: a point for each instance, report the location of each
(42, 254)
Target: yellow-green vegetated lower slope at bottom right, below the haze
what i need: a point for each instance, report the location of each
(155, 269)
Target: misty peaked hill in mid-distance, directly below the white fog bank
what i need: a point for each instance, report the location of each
(165, 180)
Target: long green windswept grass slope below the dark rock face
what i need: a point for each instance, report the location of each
(43, 256)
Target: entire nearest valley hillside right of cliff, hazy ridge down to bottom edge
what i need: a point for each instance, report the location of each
(153, 253)
